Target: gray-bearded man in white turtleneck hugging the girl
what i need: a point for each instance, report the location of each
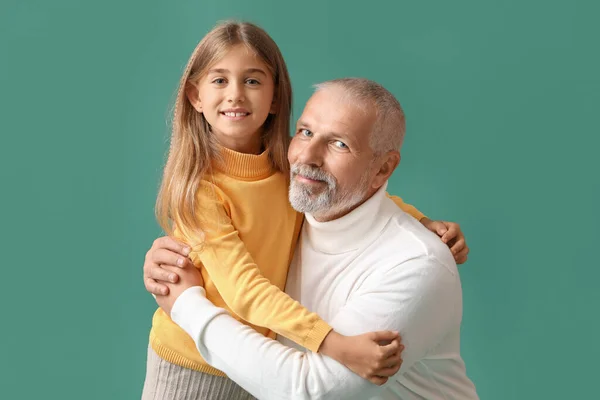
(361, 263)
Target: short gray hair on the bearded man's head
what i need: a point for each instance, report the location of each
(390, 125)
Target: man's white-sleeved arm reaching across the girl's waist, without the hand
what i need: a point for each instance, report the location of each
(418, 298)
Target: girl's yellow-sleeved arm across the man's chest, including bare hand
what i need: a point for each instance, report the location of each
(253, 298)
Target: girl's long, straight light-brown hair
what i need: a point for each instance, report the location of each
(193, 147)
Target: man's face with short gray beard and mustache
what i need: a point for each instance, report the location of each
(330, 156)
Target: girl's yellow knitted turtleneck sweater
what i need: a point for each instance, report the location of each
(250, 232)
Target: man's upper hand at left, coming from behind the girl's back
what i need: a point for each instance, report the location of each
(165, 251)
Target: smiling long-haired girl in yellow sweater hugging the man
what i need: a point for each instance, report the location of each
(224, 192)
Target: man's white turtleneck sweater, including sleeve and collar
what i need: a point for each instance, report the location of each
(375, 268)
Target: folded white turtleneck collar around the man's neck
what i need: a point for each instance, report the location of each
(348, 233)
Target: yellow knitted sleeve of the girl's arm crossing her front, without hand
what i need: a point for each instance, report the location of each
(237, 278)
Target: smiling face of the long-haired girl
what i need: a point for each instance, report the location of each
(236, 96)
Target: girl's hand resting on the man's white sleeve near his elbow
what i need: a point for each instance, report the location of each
(374, 356)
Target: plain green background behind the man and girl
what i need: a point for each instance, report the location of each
(502, 102)
